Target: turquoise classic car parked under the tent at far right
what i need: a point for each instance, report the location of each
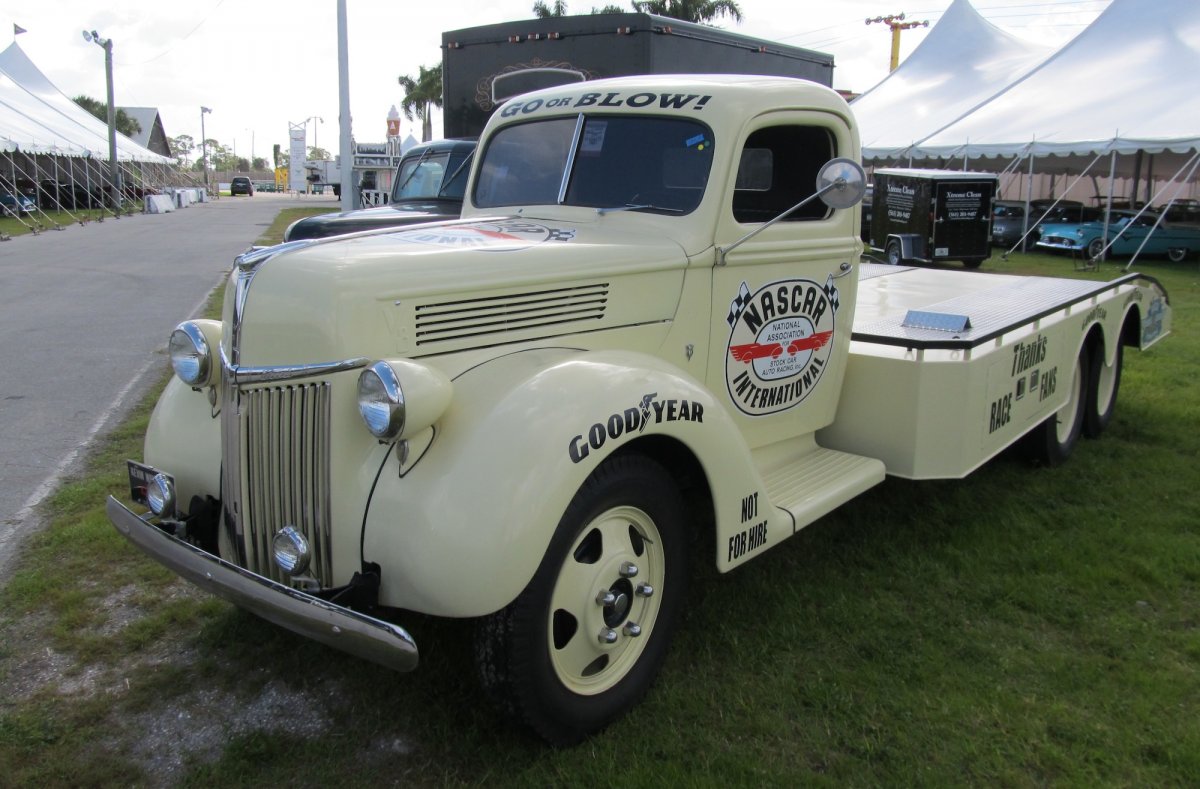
(1172, 240)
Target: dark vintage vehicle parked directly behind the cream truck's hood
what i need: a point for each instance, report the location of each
(429, 186)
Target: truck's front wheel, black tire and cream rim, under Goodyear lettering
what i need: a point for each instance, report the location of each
(543, 659)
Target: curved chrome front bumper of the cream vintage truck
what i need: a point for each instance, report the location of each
(337, 627)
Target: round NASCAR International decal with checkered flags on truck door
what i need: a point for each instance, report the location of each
(781, 340)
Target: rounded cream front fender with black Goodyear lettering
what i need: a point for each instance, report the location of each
(464, 531)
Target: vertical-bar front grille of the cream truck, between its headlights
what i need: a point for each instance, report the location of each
(280, 474)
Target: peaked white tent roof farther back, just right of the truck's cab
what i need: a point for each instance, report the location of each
(964, 62)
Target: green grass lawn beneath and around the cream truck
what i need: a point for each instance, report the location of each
(1023, 627)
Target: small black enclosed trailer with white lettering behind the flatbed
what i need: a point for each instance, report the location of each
(931, 216)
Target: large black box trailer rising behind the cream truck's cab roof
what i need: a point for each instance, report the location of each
(484, 67)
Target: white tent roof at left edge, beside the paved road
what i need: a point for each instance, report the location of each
(39, 118)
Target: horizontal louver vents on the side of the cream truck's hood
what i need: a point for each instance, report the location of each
(475, 318)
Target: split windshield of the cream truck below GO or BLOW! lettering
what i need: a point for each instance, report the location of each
(656, 165)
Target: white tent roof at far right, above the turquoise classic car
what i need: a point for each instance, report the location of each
(1129, 83)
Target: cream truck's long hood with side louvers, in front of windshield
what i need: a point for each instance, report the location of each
(451, 287)
